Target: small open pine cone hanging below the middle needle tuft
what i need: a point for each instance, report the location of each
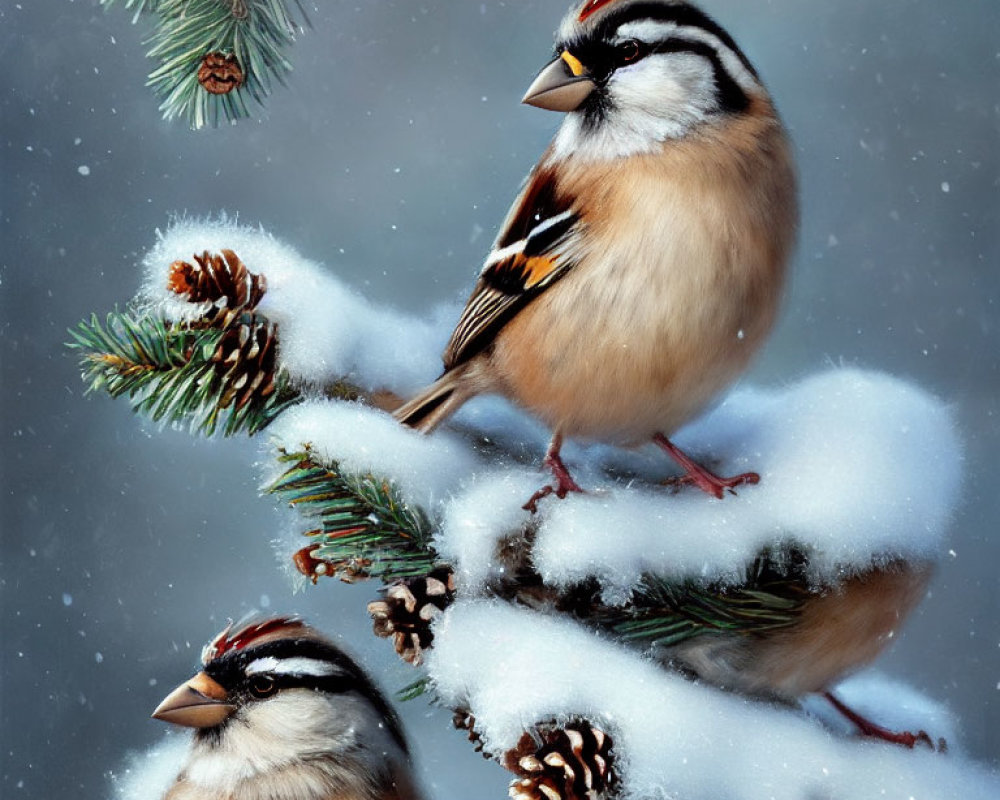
(409, 608)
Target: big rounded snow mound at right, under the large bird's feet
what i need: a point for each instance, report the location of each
(856, 467)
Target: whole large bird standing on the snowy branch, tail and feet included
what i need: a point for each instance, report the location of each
(641, 266)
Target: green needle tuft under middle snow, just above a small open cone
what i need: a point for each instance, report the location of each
(366, 529)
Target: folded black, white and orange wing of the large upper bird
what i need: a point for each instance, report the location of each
(537, 245)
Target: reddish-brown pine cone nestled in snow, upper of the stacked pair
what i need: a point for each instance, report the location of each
(224, 281)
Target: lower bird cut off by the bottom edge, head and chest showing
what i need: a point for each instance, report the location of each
(282, 714)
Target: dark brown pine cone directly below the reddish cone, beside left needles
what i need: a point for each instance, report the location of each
(247, 359)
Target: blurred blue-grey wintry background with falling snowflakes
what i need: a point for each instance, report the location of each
(392, 157)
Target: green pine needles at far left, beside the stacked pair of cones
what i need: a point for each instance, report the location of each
(168, 372)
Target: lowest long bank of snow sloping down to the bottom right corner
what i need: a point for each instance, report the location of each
(673, 738)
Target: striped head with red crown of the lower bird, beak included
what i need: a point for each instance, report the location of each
(273, 693)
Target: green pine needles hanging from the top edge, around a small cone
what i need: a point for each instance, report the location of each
(258, 32)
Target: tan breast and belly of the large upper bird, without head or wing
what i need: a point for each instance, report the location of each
(644, 342)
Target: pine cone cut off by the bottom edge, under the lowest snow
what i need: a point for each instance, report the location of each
(574, 763)
